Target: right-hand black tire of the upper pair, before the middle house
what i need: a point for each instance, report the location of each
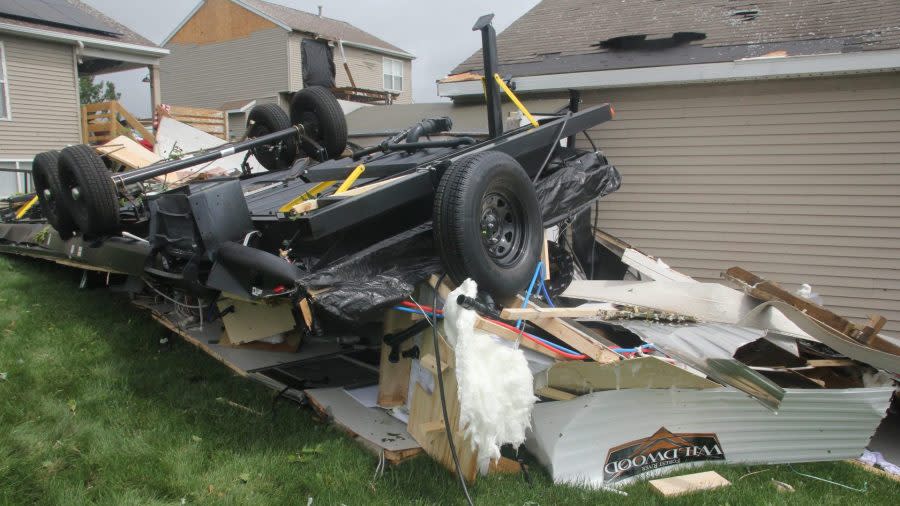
(332, 125)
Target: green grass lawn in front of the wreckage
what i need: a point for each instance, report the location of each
(93, 411)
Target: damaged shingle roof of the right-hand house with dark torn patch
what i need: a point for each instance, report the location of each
(559, 36)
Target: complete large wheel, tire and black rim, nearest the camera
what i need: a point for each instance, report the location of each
(487, 223)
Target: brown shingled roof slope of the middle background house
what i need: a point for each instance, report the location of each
(321, 26)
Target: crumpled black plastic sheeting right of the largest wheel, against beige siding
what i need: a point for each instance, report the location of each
(574, 183)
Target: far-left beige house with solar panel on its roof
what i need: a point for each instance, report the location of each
(42, 53)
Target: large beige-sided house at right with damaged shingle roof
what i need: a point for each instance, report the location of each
(765, 135)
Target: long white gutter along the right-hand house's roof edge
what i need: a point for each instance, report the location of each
(740, 70)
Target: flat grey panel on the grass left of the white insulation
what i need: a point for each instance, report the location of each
(375, 429)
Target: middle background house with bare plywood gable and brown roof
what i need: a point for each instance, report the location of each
(229, 53)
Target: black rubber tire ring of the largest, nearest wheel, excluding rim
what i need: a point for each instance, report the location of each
(457, 222)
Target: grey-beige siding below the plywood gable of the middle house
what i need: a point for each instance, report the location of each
(208, 75)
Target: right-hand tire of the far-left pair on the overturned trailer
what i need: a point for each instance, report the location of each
(96, 212)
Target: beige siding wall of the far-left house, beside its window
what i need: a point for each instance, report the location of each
(43, 98)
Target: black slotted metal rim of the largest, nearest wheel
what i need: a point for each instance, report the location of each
(502, 227)
